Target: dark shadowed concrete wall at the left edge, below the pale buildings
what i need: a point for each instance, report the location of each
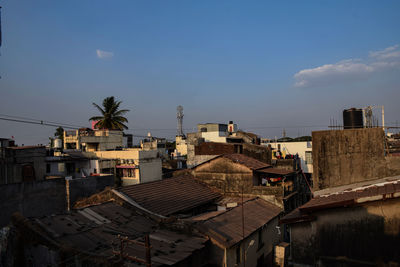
(40, 198)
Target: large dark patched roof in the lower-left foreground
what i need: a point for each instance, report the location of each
(94, 230)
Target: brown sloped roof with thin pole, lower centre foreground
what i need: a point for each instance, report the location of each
(226, 228)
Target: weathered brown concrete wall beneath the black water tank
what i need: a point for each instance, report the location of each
(348, 156)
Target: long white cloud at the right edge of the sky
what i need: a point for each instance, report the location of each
(351, 69)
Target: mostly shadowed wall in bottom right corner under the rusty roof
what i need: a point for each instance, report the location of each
(369, 233)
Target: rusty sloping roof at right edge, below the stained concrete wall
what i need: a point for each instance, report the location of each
(384, 189)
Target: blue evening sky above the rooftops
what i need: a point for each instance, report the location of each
(265, 65)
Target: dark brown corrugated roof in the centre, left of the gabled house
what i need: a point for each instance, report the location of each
(170, 196)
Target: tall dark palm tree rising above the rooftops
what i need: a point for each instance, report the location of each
(112, 118)
